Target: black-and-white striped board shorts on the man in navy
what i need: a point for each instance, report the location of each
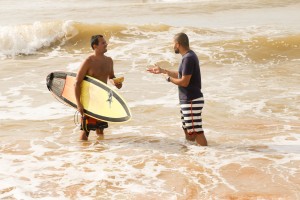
(191, 115)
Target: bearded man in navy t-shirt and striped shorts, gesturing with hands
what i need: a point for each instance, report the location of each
(188, 79)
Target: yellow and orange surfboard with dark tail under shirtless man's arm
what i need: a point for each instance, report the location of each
(98, 99)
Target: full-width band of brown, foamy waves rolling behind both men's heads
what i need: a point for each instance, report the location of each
(155, 41)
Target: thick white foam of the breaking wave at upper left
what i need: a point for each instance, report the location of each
(27, 39)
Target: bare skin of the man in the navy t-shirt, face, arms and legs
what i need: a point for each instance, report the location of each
(184, 82)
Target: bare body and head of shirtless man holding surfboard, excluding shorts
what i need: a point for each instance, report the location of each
(98, 66)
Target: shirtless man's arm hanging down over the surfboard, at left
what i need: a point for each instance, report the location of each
(79, 78)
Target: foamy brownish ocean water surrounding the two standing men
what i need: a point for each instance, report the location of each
(249, 54)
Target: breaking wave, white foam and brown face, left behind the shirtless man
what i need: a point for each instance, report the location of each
(40, 36)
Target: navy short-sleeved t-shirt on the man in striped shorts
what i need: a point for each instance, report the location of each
(190, 66)
